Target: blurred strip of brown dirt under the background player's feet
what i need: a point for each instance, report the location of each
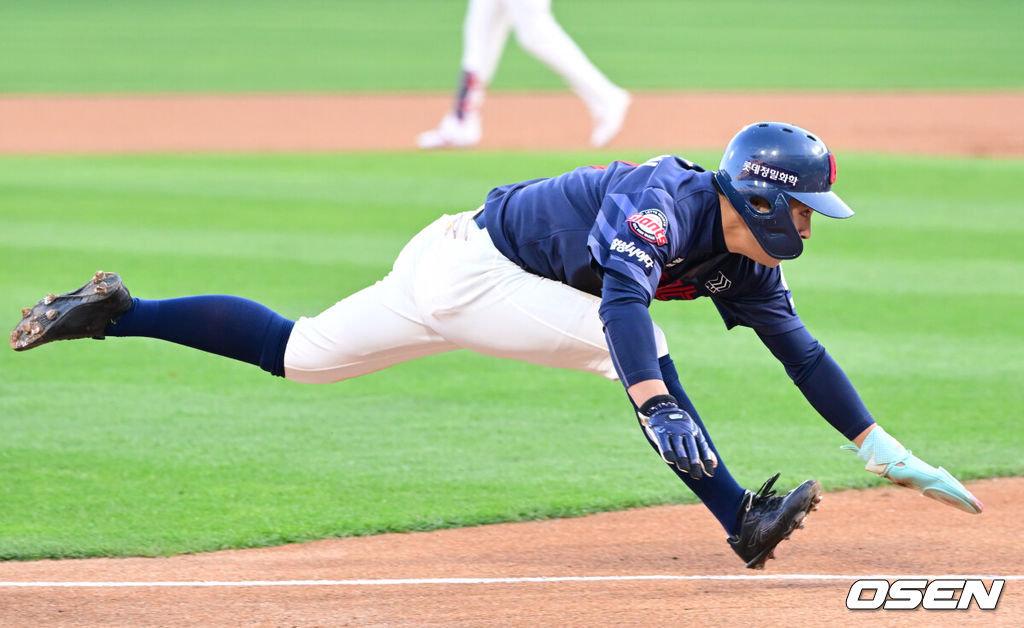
(976, 124)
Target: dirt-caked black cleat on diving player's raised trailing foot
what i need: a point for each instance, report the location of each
(81, 314)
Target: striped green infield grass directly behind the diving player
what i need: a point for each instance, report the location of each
(138, 447)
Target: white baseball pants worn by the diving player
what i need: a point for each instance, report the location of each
(452, 289)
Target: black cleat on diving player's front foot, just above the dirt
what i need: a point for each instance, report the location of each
(766, 521)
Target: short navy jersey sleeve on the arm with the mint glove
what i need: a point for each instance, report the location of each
(764, 305)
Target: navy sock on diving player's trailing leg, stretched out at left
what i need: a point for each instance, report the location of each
(229, 326)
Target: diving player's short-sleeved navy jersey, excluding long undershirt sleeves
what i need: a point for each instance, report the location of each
(657, 226)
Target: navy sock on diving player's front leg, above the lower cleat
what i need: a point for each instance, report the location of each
(720, 494)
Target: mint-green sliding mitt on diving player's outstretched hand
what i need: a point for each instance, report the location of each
(887, 457)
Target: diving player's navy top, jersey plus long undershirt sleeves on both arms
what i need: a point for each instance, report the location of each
(631, 234)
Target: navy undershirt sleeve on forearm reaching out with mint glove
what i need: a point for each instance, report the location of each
(821, 380)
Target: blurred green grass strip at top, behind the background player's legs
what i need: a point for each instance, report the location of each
(311, 46)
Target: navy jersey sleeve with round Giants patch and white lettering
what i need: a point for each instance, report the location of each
(636, 234)
